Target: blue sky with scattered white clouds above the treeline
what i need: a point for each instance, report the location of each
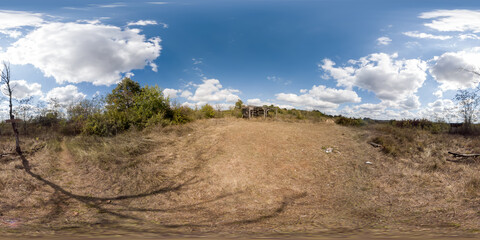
(379, 59)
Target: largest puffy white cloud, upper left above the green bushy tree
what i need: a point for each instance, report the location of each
(84, 52)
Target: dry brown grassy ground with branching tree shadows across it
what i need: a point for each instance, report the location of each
(225, 177)
